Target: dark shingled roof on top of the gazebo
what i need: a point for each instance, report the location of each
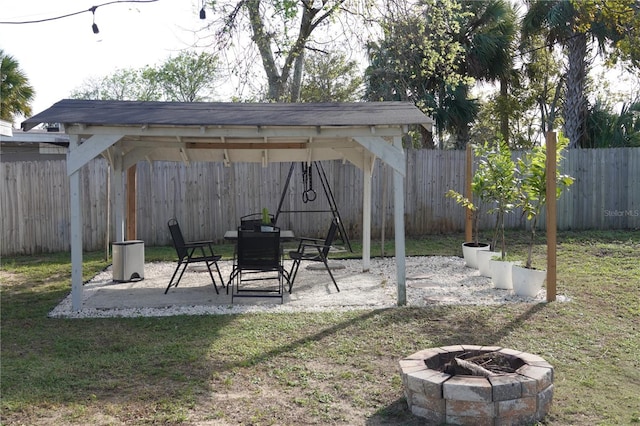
(92, 112)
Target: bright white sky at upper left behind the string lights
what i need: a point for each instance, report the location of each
(58, 56)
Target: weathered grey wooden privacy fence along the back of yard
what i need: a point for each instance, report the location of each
(208, 198)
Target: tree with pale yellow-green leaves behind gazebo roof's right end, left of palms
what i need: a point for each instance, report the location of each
(417, 59)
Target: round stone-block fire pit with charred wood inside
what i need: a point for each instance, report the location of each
(519, 397)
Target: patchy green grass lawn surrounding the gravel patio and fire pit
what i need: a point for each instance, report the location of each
(320, 368)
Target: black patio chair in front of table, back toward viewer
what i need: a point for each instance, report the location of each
(258, 259)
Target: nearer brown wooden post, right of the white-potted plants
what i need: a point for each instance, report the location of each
(551, 216)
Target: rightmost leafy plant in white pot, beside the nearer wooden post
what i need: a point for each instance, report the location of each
(527, 281)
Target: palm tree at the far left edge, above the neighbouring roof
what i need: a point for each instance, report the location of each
(15, 92)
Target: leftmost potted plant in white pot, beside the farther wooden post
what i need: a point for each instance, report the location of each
(479, 193)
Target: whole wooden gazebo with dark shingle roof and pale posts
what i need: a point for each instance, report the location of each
(127, 132)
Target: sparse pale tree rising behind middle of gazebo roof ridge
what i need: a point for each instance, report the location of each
(330, 77)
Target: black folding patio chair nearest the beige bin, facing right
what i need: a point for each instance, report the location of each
(190, 253)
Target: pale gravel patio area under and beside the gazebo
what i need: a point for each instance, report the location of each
(431, 280)
